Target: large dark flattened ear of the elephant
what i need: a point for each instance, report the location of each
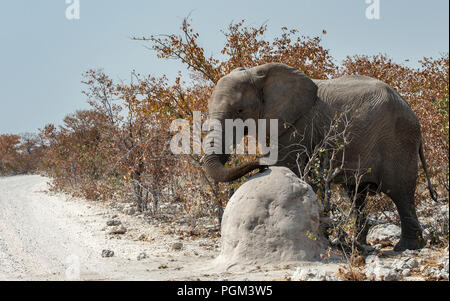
(288, 92)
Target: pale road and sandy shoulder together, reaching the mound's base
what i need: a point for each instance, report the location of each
(54, 237)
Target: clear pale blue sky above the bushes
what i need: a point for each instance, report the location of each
(43, 55)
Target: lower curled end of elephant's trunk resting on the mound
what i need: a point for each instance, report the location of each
(215, 167)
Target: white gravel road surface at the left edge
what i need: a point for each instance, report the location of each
(42, 236)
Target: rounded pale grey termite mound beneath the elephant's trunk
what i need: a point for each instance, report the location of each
(272, 218)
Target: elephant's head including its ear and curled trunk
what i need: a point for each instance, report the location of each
(270, 91)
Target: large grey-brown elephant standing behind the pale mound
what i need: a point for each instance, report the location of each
(385, 134)
